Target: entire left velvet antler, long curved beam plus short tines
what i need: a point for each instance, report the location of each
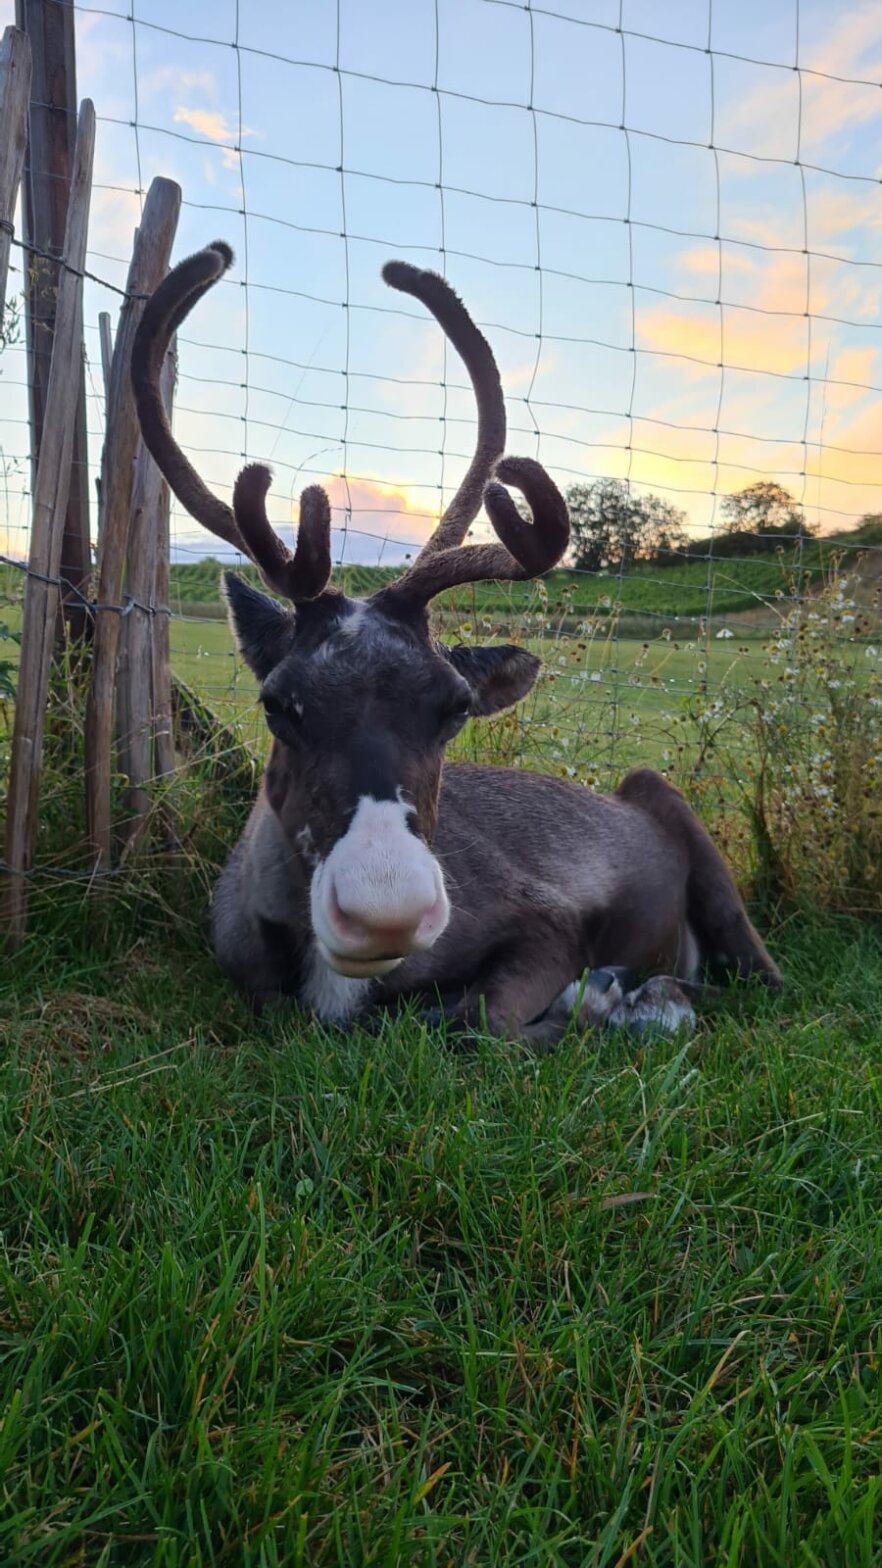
(299, 576)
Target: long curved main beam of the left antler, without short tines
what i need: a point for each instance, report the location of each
(164, 313)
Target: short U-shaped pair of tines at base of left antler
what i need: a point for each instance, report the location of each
(299, 576)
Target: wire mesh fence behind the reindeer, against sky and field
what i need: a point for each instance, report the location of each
(668, 227)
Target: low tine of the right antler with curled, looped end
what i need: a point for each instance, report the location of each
(525, 550)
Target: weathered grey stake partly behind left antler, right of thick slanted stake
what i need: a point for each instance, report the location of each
(139, 634)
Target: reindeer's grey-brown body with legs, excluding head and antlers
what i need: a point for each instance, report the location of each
(545, 880)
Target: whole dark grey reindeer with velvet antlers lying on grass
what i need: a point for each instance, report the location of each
(371, 869)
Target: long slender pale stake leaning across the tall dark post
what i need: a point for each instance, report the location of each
(48, 535)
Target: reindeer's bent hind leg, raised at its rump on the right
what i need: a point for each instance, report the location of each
(715, 910)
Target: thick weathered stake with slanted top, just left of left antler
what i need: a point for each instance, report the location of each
(150, 266)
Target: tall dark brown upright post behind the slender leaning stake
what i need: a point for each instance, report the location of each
(53, 129)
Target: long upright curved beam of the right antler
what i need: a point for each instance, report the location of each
(476, 354)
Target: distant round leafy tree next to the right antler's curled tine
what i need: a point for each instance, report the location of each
(611, 528)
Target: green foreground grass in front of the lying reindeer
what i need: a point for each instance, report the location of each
(277, 1296)
